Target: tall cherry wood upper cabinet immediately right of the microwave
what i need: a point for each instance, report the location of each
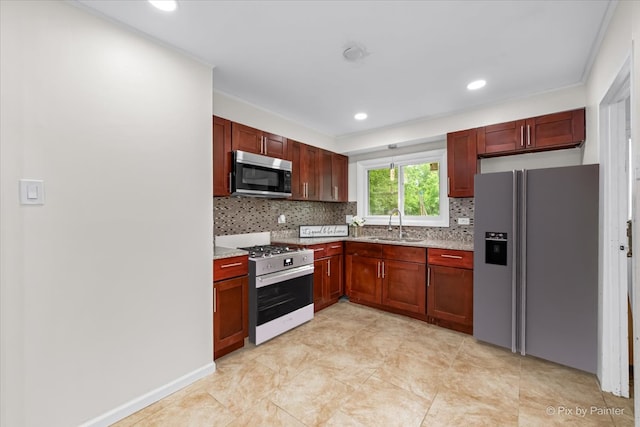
(305, 178)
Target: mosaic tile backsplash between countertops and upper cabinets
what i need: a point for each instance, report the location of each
(237, 215)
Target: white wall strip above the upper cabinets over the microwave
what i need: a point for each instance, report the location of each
(242, 112)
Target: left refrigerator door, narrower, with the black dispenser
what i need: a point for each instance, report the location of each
(494, 289)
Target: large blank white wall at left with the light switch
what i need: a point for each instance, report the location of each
(106, 289)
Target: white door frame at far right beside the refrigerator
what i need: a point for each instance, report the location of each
(613, 369)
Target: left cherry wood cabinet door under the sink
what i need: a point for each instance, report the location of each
(363, 279)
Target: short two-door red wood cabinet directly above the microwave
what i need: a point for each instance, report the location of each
(253, 140)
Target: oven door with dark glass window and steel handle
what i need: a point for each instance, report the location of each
(284, 292)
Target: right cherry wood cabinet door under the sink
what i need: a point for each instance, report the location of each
(404, 286)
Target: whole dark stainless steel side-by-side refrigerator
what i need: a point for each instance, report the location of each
(535, 272)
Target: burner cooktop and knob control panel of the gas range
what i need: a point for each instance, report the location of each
(266, 259)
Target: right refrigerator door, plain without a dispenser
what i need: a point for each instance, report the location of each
(560, 280)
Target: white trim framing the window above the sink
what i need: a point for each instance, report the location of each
(439, 155)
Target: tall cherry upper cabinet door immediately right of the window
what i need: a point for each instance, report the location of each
(462, 162)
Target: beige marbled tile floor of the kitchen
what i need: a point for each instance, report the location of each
(356, 366)
